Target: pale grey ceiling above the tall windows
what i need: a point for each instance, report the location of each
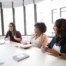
(8, 3)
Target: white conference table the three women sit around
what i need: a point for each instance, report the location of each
(37, 58)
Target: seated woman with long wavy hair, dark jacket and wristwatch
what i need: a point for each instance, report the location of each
(57, 47)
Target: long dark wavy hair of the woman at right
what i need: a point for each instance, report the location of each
(61, 31)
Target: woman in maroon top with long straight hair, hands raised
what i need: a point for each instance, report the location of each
(13, 34)
